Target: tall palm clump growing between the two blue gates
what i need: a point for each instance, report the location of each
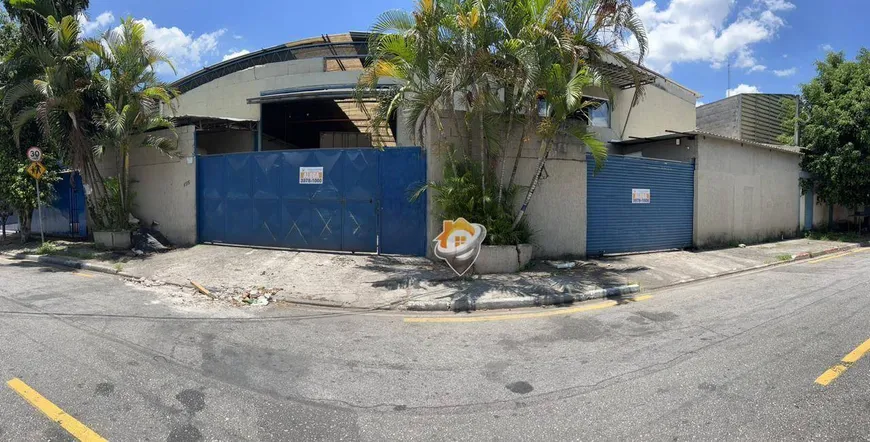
(504, 61)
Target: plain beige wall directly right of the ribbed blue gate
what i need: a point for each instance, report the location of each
(744, 193)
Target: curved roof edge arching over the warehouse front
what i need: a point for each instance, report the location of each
(353, 45)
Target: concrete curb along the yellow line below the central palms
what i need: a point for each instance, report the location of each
(440, 305)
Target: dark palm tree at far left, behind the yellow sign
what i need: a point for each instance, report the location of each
(58, 98)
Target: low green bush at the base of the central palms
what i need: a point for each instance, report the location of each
(460, 195)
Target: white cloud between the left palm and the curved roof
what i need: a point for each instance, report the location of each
(187, 52)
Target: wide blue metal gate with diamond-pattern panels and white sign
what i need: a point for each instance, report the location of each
(322, 199)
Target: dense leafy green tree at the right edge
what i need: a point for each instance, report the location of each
(835, 128)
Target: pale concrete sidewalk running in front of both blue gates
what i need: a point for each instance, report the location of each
(389, 282)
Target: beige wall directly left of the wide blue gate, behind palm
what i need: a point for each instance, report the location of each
(165, 187)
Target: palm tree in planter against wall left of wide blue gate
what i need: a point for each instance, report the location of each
(126, 62)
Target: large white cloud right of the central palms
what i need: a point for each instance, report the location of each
(708, 31)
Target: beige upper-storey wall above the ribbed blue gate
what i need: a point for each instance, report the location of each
(664, 106)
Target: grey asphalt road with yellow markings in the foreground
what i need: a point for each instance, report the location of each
(732, 358)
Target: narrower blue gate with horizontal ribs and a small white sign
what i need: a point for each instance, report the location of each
(639, 204)
